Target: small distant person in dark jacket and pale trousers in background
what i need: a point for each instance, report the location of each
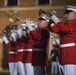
(54, 58)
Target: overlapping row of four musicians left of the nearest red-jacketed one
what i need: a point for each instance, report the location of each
(27, 47)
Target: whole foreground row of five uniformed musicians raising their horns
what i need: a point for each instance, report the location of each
(28, 42)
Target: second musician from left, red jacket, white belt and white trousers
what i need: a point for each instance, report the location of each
(20, 49)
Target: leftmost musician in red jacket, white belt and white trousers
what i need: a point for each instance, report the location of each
(11, 55)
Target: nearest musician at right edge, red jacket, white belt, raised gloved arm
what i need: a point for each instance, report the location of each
(67, 33)
